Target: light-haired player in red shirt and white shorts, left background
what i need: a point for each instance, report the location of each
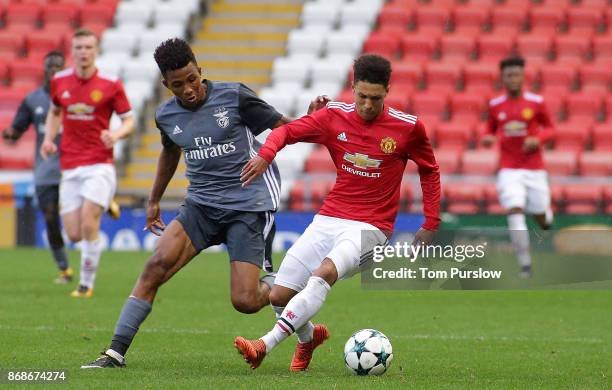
(82, 102)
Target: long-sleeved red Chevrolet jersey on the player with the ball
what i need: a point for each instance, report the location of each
(370, 159)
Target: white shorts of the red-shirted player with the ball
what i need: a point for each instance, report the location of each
(346, 242)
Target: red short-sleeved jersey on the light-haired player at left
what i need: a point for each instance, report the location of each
(87, 106)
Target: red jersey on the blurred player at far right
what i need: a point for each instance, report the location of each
(514, 119)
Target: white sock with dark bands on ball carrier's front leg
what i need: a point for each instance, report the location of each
(300, 309)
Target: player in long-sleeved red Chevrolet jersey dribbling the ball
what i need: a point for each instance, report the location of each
(370, 144)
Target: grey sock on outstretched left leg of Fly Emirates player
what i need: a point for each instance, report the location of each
(134, 312)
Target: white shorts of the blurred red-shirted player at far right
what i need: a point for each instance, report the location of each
(524, 188)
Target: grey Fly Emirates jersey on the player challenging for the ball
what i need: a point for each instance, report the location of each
(217, 140)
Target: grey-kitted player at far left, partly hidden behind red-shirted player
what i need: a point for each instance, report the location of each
(33, 111)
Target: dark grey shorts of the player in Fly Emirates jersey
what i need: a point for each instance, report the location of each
(246, 234)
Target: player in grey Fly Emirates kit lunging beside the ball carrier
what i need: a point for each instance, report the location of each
(213, 125)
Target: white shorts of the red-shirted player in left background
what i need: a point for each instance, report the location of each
(96, 183)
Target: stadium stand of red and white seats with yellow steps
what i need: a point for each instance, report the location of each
(445, 56)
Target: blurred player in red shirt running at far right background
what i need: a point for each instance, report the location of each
(521, 123)
